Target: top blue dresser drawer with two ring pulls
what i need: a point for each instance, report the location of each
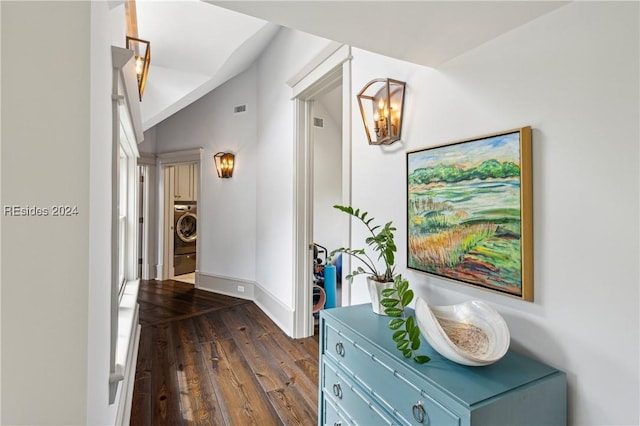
(406, 397)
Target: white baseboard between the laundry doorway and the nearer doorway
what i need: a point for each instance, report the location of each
(277, 311)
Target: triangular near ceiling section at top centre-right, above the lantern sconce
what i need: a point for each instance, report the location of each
(423, 32)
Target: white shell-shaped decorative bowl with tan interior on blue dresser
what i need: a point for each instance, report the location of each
(469, 333)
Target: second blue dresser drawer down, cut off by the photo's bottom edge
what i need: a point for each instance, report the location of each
(356, 405)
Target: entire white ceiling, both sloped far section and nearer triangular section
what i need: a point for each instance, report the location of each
(198, 45)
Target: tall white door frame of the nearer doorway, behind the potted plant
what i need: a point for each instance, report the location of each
(330, 68)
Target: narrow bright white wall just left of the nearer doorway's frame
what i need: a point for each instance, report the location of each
(289, 52)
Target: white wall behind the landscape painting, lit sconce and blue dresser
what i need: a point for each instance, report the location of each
(573, 76)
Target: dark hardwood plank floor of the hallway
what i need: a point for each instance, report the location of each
(210, 359)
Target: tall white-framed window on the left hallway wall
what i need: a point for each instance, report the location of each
(127, 133)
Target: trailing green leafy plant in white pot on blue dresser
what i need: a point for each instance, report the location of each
(390, 293)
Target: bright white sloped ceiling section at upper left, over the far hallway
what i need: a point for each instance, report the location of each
(195, 47)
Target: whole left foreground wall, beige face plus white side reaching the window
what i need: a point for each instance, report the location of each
(56, 149)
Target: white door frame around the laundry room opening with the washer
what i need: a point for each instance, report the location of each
(165, 208)
